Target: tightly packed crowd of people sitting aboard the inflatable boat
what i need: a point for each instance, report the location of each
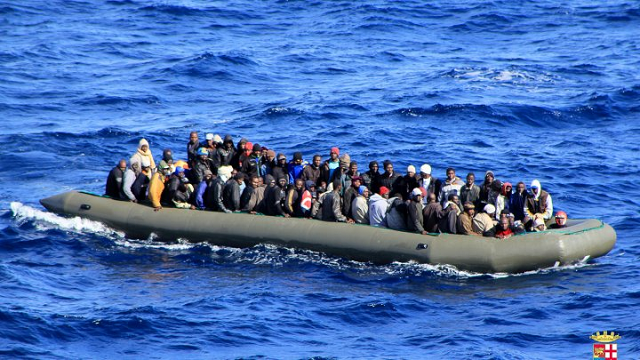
(219, 175)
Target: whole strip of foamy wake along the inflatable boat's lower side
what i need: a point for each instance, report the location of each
(262, 254)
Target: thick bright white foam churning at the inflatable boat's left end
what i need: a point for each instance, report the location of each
(44, 220)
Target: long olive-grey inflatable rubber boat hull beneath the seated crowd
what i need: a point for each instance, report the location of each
(581, 239)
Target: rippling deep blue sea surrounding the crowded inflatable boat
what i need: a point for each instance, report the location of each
(541, 89)
